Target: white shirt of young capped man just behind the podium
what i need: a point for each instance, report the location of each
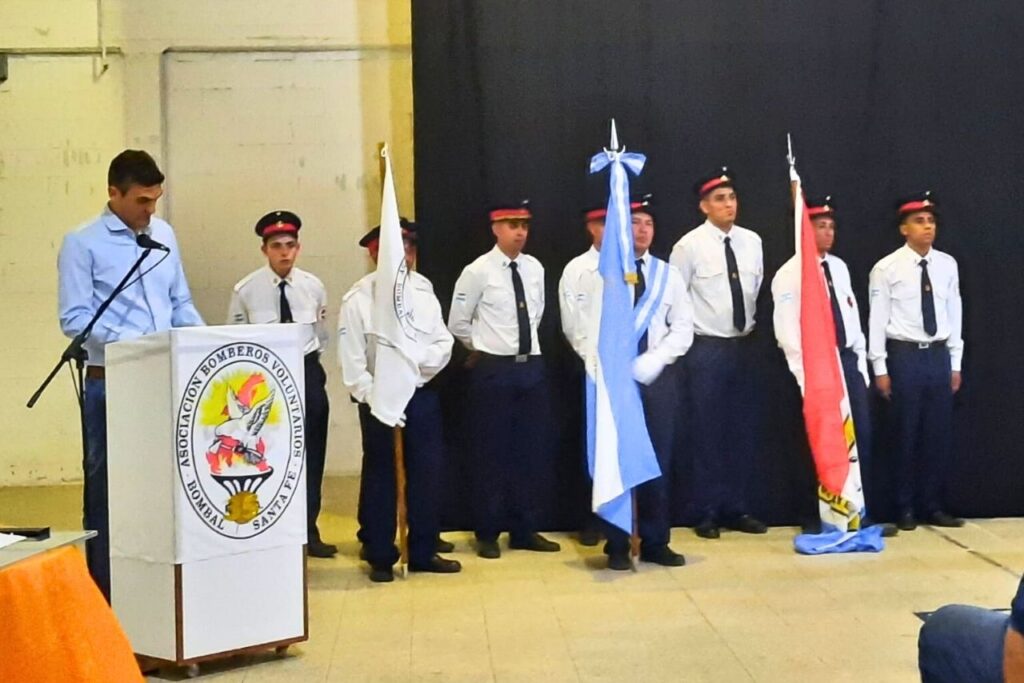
(257, 301)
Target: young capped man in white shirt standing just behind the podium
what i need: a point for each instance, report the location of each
(283, 293)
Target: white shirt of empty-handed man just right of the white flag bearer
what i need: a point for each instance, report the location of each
(484, 313)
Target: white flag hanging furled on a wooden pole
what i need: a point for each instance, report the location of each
(396, 369)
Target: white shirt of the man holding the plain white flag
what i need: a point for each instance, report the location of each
(358, 348)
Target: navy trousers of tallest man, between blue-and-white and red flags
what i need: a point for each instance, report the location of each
(718, 373)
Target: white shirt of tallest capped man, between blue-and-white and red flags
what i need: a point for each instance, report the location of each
(700, 255)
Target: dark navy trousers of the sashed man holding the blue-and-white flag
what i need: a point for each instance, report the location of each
(661, 407)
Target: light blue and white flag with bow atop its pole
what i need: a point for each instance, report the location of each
(619, 448)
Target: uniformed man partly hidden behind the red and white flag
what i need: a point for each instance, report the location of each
(846, 320)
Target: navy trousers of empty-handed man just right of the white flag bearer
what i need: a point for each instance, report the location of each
(509, 409)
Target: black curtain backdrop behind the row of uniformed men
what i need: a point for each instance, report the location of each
(882, 99)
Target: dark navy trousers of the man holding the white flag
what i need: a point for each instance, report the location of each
(424, 444)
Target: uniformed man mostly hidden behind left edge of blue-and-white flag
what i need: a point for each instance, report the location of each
(574, 308)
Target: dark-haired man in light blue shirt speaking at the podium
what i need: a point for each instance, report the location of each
(94, 259)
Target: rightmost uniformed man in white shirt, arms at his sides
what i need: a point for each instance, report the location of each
(916, 349)
